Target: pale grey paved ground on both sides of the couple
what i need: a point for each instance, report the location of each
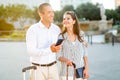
(104, 61)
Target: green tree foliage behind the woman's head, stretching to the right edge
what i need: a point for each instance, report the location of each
(89, 11)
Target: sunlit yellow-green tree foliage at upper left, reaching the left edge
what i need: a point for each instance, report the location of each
(16, 12)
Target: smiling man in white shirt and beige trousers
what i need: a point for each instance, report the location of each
(40, 39)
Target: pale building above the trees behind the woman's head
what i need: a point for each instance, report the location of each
(75, 3)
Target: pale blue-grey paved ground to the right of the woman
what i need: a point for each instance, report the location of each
(104, 61)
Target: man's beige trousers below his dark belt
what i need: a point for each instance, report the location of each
(45, 73)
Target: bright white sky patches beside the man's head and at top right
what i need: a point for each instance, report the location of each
(108, 4)
